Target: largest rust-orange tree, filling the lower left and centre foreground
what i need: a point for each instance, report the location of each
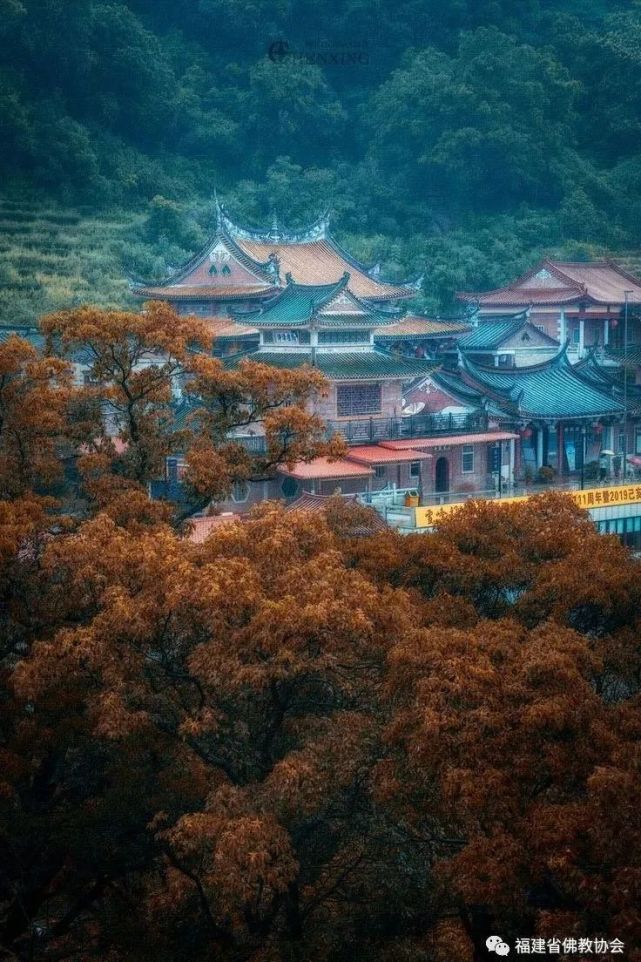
(196, 738)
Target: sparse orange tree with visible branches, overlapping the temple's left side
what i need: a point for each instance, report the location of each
(162, 394)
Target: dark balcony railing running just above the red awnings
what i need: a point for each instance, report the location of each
(412, 426)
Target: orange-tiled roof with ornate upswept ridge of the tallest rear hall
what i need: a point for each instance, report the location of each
(243, 267)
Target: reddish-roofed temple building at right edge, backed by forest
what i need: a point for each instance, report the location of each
(583, 303)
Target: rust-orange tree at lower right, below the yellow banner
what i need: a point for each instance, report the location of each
(517, 720)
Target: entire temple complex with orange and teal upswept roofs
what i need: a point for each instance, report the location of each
(524, 386)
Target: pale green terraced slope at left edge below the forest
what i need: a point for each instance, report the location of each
(54, 257)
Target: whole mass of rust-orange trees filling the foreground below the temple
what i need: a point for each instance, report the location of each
(295, 742)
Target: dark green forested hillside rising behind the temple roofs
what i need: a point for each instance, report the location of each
(458, 141)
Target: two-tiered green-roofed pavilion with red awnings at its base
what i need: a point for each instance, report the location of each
(330, 328)
